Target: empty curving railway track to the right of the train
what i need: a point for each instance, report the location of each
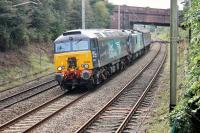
(117, 113)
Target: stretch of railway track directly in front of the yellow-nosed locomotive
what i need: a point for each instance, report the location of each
(35, 117)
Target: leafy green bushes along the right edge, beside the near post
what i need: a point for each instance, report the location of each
(186, 116)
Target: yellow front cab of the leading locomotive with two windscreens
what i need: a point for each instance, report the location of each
(75, 56)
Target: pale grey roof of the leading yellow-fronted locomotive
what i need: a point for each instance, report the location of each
(92, 33)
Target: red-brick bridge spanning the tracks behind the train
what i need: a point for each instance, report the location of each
(130, 15)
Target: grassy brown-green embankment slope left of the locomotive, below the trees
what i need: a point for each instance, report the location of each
(25, 65)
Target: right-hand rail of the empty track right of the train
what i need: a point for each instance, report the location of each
(135, 107)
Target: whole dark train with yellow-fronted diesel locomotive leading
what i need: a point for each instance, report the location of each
(89, 57)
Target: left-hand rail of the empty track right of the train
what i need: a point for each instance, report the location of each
(91, 120)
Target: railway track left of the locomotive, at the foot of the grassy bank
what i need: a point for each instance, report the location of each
(25, 94)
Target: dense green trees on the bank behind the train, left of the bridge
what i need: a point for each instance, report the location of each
(22, 24)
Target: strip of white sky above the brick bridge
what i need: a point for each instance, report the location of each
(163, 4)
